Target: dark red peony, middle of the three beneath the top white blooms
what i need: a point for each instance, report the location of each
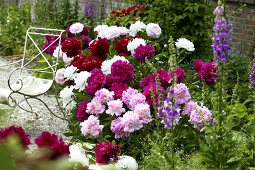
(99, 48)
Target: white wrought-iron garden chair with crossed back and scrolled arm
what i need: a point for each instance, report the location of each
(23, 82)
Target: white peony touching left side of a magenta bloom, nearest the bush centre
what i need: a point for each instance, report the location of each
(81, 80)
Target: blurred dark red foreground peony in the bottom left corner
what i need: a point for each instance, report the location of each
(18, 131)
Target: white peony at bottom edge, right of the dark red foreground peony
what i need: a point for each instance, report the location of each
(126, 162)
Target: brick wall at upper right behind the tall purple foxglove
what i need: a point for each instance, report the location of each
(243, 36)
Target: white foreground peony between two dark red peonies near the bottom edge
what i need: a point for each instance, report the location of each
(76, 155)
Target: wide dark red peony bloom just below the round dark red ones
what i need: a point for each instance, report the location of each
(84, 63)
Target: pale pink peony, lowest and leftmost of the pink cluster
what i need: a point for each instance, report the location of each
(91, 126)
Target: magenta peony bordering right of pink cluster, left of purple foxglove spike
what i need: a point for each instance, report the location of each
(150, 92)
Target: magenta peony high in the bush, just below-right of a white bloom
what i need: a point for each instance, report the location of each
(142, 52)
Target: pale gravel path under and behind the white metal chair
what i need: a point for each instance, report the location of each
(46, 121)
